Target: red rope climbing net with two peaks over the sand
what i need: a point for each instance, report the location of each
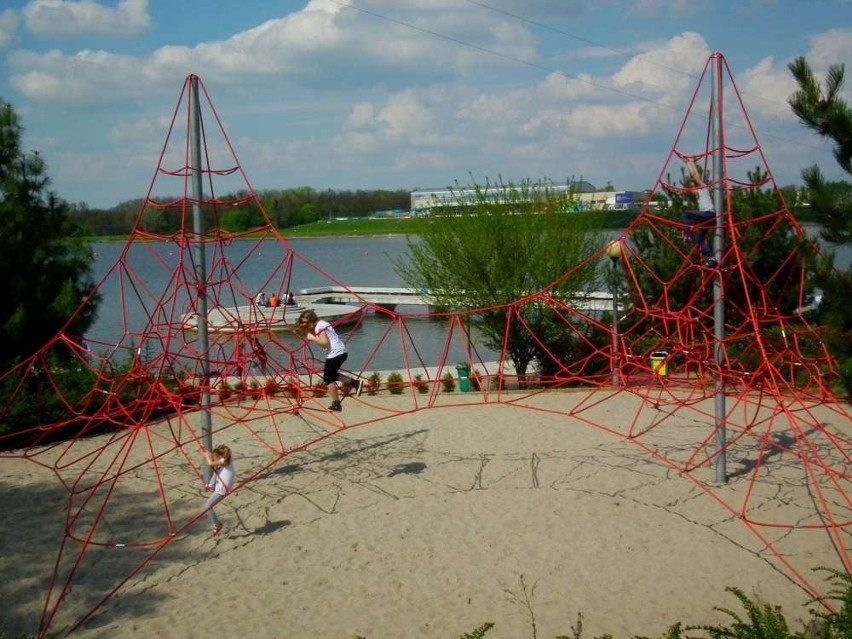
(756, 403)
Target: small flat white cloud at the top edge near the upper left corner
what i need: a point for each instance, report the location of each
(80, 17)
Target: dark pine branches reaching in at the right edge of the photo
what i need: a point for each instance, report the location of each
(826, 113)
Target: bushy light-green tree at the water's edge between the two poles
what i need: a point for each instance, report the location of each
(497, 244)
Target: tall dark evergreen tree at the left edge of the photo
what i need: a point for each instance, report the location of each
(44, 263)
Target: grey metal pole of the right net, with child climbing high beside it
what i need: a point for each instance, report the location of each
(718, 288)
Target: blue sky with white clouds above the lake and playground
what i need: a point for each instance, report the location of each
(405, 94)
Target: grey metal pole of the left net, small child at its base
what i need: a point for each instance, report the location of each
(200, 264)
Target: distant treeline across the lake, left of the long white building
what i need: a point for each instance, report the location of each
(285, 208)
